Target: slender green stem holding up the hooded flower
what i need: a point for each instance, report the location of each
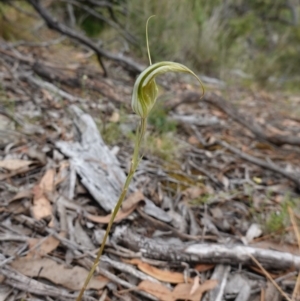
(133, 167)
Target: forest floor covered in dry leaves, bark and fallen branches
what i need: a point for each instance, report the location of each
(218, 185)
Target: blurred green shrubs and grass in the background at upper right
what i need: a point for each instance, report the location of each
(259, 37)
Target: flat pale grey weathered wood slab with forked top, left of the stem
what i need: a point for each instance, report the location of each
(98, 168)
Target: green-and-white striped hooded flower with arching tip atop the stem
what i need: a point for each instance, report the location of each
(145, 89)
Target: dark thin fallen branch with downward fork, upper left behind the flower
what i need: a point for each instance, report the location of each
(63, 29)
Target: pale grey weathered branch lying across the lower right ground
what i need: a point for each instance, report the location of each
(204, 252)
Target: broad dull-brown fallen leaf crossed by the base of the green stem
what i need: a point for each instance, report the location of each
(70, 278)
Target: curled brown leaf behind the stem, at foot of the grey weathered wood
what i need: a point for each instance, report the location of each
(129, 205)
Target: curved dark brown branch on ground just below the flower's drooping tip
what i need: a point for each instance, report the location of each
(223, 105)
